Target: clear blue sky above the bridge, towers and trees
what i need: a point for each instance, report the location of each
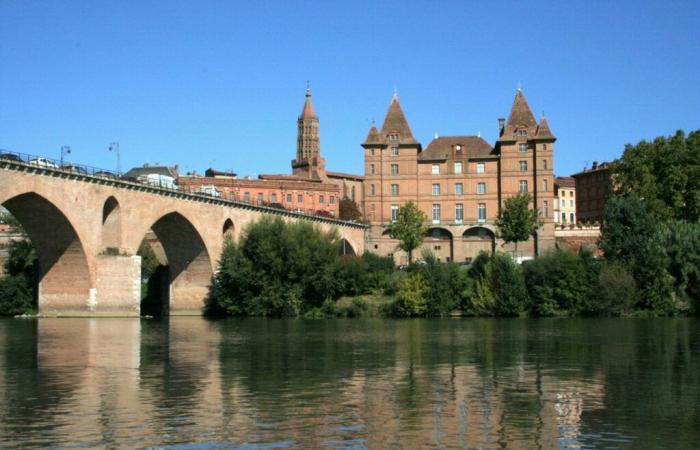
(221, 83)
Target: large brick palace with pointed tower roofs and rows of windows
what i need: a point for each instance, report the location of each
(459, 182)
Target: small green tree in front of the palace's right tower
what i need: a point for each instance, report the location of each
(517, 222)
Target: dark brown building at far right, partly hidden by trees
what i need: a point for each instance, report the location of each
(593, 187)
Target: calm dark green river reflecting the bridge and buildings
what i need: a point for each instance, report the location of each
(193, 383)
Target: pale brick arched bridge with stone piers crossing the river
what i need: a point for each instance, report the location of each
(87, 230)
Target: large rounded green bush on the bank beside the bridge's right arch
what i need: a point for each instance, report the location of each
(278, 269)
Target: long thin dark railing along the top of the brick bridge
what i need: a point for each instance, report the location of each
(82, 169)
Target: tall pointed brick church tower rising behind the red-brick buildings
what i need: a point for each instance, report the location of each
(308, 161)
